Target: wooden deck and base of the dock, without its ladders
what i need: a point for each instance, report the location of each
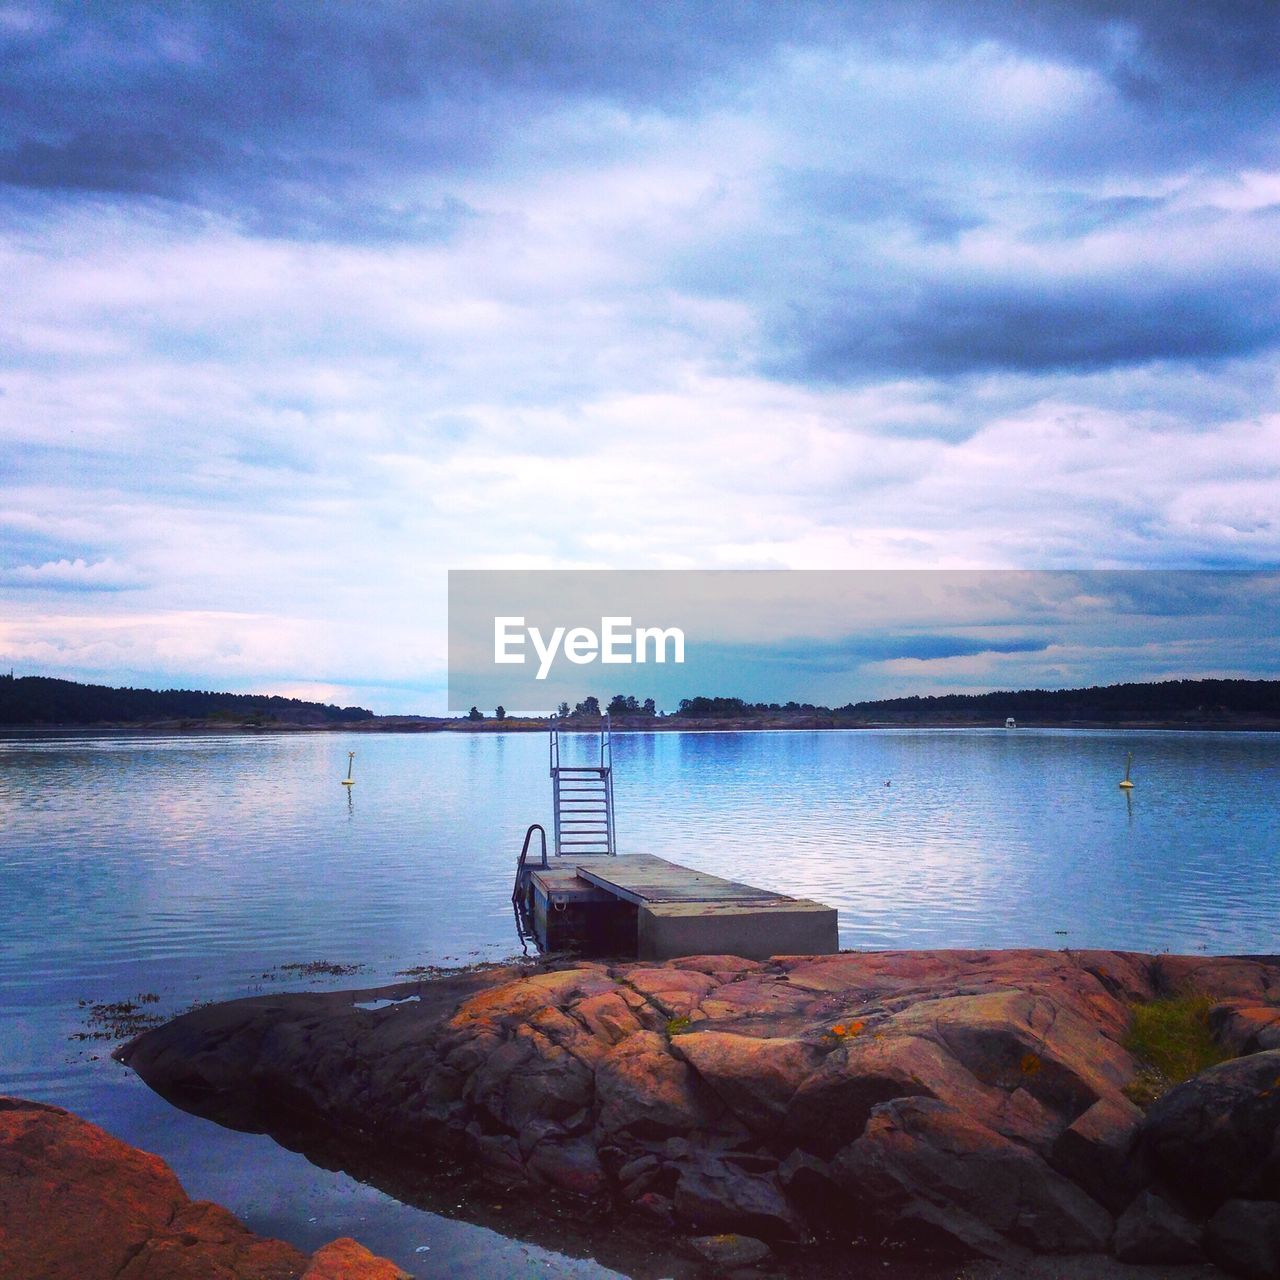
(643, 906)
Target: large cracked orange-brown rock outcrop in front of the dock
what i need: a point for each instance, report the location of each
(973, 1103)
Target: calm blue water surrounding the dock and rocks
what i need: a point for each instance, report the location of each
(204, 867)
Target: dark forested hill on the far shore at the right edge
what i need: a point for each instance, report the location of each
(1171, 702)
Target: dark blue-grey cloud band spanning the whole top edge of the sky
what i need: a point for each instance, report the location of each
(228, 100)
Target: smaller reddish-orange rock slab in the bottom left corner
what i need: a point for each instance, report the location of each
(77, 1204)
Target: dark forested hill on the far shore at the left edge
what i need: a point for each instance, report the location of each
(43, 701)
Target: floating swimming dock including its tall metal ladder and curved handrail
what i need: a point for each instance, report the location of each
(591, 899)
